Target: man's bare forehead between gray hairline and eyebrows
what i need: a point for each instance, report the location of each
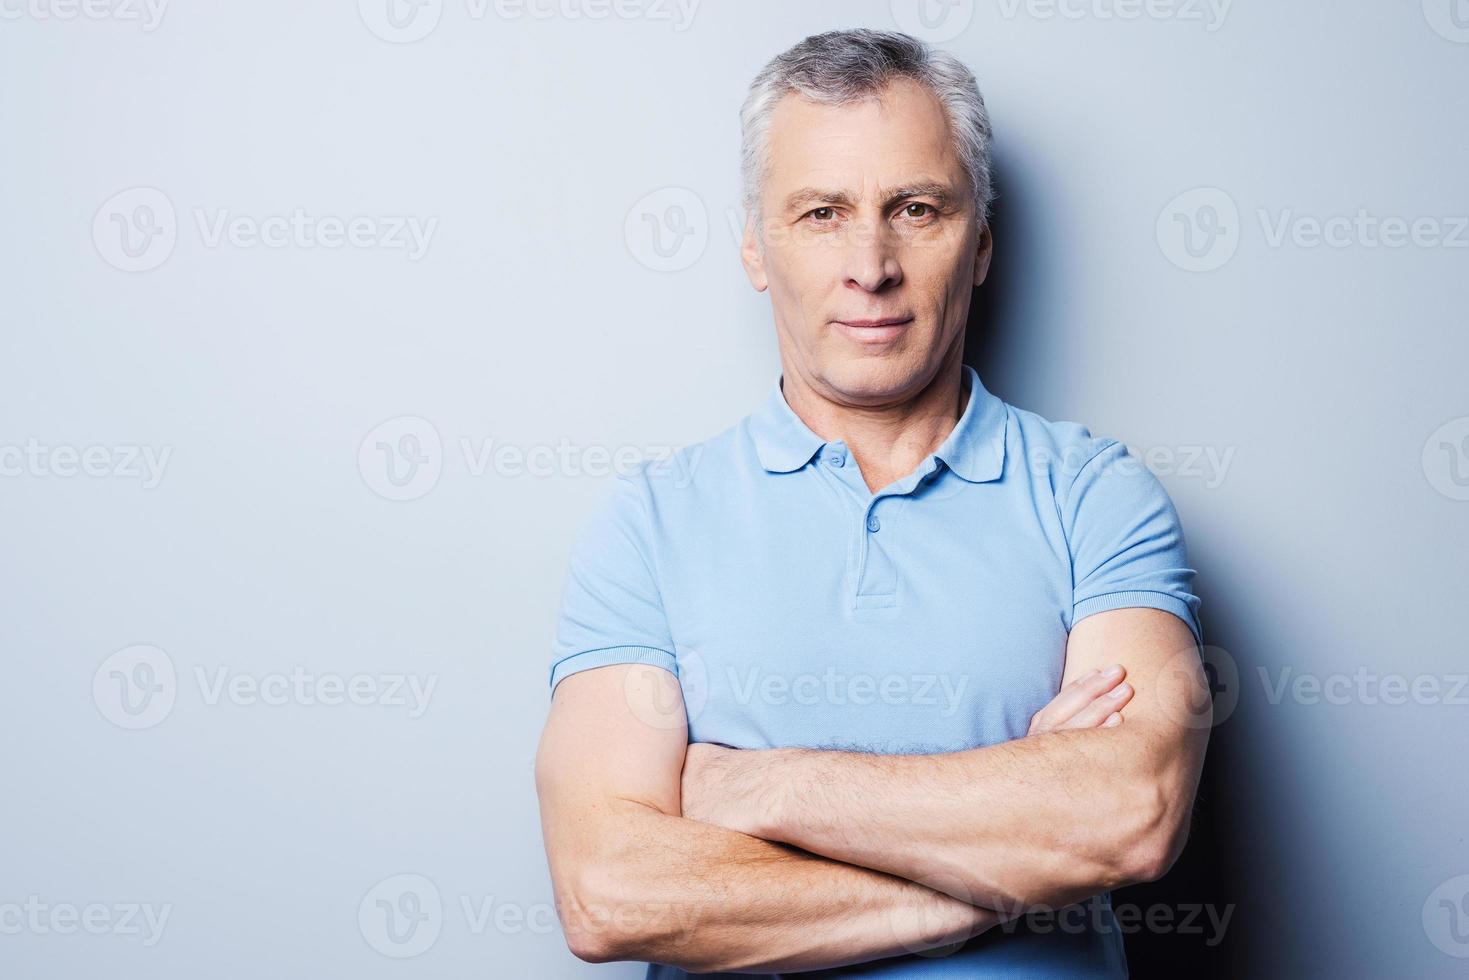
(895, 137)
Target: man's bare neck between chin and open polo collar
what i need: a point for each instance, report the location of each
(887, 442)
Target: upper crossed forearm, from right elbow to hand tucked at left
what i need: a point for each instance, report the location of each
(1045, 821)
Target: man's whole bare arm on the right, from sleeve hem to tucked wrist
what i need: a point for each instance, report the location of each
(1083, 804)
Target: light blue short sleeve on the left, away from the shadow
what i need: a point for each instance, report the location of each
(612, 612)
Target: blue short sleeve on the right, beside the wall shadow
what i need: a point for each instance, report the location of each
(1127, 547)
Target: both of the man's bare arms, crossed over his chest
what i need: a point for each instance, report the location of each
(688, 854)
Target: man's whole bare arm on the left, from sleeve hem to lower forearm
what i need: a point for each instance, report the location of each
(637, 881)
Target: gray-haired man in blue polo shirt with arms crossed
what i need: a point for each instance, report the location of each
(901, 666)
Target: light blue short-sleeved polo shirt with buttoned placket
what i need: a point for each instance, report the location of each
(800, 609)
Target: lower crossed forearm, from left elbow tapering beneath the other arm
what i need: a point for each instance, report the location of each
(644, 885)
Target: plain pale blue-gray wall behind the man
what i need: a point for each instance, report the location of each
(328, 427)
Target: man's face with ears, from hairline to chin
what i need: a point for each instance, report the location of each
(872, 248)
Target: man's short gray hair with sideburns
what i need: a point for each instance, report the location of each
(845, 67)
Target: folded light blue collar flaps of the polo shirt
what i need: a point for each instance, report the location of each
(975, 449)
